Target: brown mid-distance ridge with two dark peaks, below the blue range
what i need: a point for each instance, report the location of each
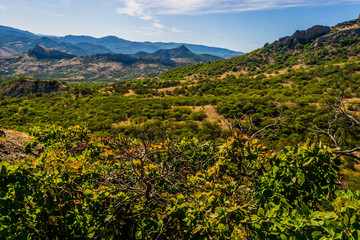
(44, 63)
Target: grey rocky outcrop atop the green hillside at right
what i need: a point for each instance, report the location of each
(304, 36)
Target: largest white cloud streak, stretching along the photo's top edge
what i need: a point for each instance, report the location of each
(149, 9)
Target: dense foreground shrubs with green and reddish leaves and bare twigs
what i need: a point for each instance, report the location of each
(119, 187)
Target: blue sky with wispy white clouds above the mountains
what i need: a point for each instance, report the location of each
(240, 25)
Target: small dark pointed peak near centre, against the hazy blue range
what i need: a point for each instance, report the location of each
(179, 54)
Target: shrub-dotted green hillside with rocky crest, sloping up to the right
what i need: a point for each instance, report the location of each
(314, 46)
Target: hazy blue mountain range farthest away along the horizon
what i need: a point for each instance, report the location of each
(14, 41)
